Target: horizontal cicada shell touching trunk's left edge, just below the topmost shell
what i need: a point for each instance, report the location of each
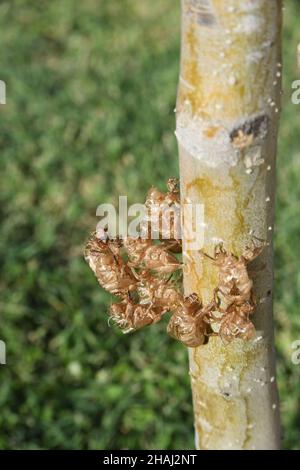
(142, 253)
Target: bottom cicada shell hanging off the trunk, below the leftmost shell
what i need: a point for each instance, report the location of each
(129, 316)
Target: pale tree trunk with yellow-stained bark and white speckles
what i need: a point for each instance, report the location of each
(230, 82)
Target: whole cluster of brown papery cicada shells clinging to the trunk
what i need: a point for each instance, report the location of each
(146, 276)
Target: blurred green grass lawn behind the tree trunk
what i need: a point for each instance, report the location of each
(91, 89)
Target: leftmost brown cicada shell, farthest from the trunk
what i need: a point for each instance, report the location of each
(109, 268)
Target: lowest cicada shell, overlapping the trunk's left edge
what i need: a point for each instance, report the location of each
(190, 322)
